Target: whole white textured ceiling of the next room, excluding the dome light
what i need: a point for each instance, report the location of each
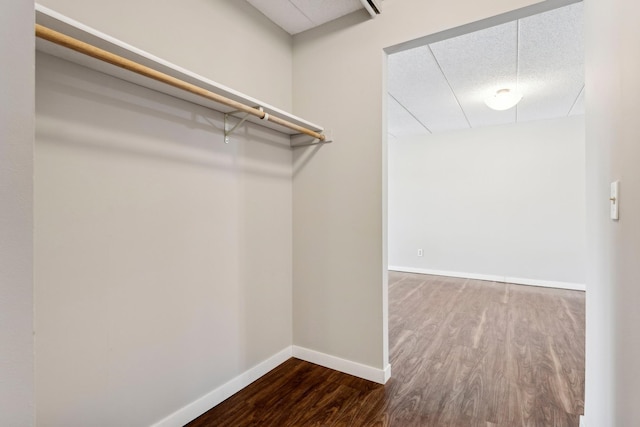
(442, 86)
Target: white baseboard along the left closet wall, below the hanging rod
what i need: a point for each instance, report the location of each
(213, 398)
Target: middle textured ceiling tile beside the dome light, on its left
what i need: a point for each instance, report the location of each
(477, 65)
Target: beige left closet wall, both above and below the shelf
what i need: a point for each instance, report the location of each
(163, 256)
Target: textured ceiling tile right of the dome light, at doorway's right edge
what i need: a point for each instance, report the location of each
(551, 62)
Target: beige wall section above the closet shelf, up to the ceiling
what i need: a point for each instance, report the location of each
(228, 41)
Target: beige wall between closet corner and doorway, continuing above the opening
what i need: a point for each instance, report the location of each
(339, 273)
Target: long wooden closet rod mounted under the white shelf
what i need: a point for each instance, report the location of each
(95, 52)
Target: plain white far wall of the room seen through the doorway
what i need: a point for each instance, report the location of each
(504, 201)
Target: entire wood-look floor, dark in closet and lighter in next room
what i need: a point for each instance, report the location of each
(464, 353)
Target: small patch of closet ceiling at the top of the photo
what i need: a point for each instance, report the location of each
(295, 16)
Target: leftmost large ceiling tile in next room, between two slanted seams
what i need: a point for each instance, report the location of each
(415, 80)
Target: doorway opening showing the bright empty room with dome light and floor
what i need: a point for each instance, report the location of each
(486, 231)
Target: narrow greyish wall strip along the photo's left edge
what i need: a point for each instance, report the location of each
(16, 213)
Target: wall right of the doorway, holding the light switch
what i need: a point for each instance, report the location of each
(613, 294)
